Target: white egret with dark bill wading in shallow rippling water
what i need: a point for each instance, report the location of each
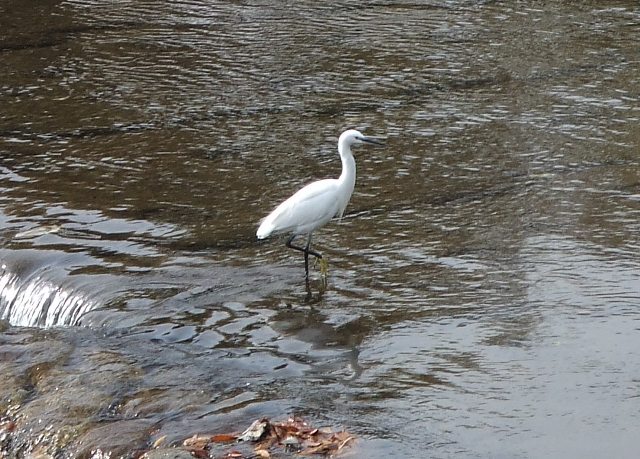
(317, 203)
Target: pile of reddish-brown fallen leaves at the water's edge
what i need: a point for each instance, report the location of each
(264, 438)
